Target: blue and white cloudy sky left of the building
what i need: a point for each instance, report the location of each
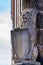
(5, 28)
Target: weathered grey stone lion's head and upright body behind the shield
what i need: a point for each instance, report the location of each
(29, 21)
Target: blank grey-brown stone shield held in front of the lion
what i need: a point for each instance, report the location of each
(20, 42)
